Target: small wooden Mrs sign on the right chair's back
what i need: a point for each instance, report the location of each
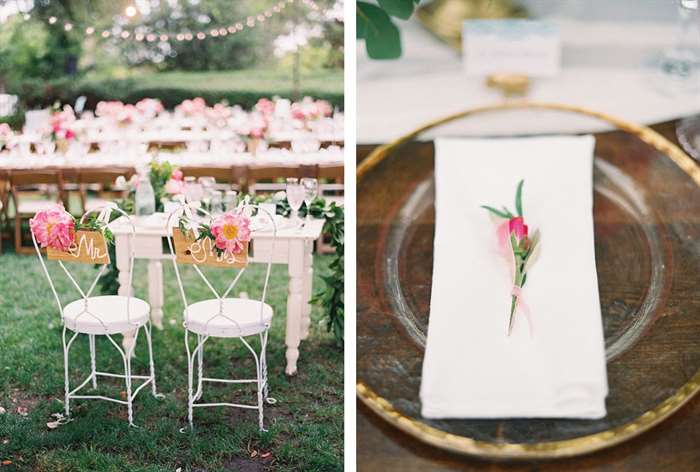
(203, 252)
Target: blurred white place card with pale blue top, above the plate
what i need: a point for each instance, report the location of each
(528, 47)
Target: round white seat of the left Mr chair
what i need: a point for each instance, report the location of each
(109, 312)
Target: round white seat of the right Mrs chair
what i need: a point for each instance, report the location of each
(201, 317)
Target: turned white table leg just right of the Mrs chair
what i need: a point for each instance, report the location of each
(294, 304)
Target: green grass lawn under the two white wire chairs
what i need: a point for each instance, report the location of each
(305, 426)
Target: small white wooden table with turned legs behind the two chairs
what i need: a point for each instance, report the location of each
(292, 247)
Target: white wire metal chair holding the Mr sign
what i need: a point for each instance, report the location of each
(104, 316)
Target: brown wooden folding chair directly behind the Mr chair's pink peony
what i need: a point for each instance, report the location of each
(28, 189)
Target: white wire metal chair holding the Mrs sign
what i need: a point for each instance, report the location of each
(225, 317)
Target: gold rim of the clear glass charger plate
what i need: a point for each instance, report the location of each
(552, 449)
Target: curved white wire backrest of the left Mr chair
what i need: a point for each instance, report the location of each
(104, 215)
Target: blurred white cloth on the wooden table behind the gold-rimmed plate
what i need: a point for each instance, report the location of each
(607, 66)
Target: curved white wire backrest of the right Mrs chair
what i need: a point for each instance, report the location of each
(198, 215)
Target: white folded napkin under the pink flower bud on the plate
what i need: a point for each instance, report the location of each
(471, 368)
